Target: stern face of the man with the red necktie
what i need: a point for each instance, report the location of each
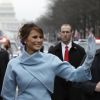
(66, 33)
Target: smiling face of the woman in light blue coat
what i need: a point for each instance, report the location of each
(33, 42)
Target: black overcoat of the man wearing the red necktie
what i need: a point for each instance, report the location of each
(63, 89)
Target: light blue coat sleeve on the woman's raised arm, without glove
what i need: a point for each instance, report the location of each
(68, 72)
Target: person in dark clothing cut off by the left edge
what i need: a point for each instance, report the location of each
(4, 58)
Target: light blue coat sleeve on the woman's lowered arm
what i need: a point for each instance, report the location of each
(9, 80)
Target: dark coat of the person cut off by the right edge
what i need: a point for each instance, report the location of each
(88, 87)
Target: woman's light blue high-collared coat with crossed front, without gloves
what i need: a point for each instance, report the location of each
(34, 75)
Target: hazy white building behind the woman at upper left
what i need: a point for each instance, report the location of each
(9, 25)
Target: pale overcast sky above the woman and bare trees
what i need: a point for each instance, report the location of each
(28, 9)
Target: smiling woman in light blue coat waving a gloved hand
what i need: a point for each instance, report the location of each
(33, 72)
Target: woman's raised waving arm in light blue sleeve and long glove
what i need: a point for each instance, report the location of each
(82, 73)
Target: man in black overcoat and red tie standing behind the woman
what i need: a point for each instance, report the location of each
(62, 89)
